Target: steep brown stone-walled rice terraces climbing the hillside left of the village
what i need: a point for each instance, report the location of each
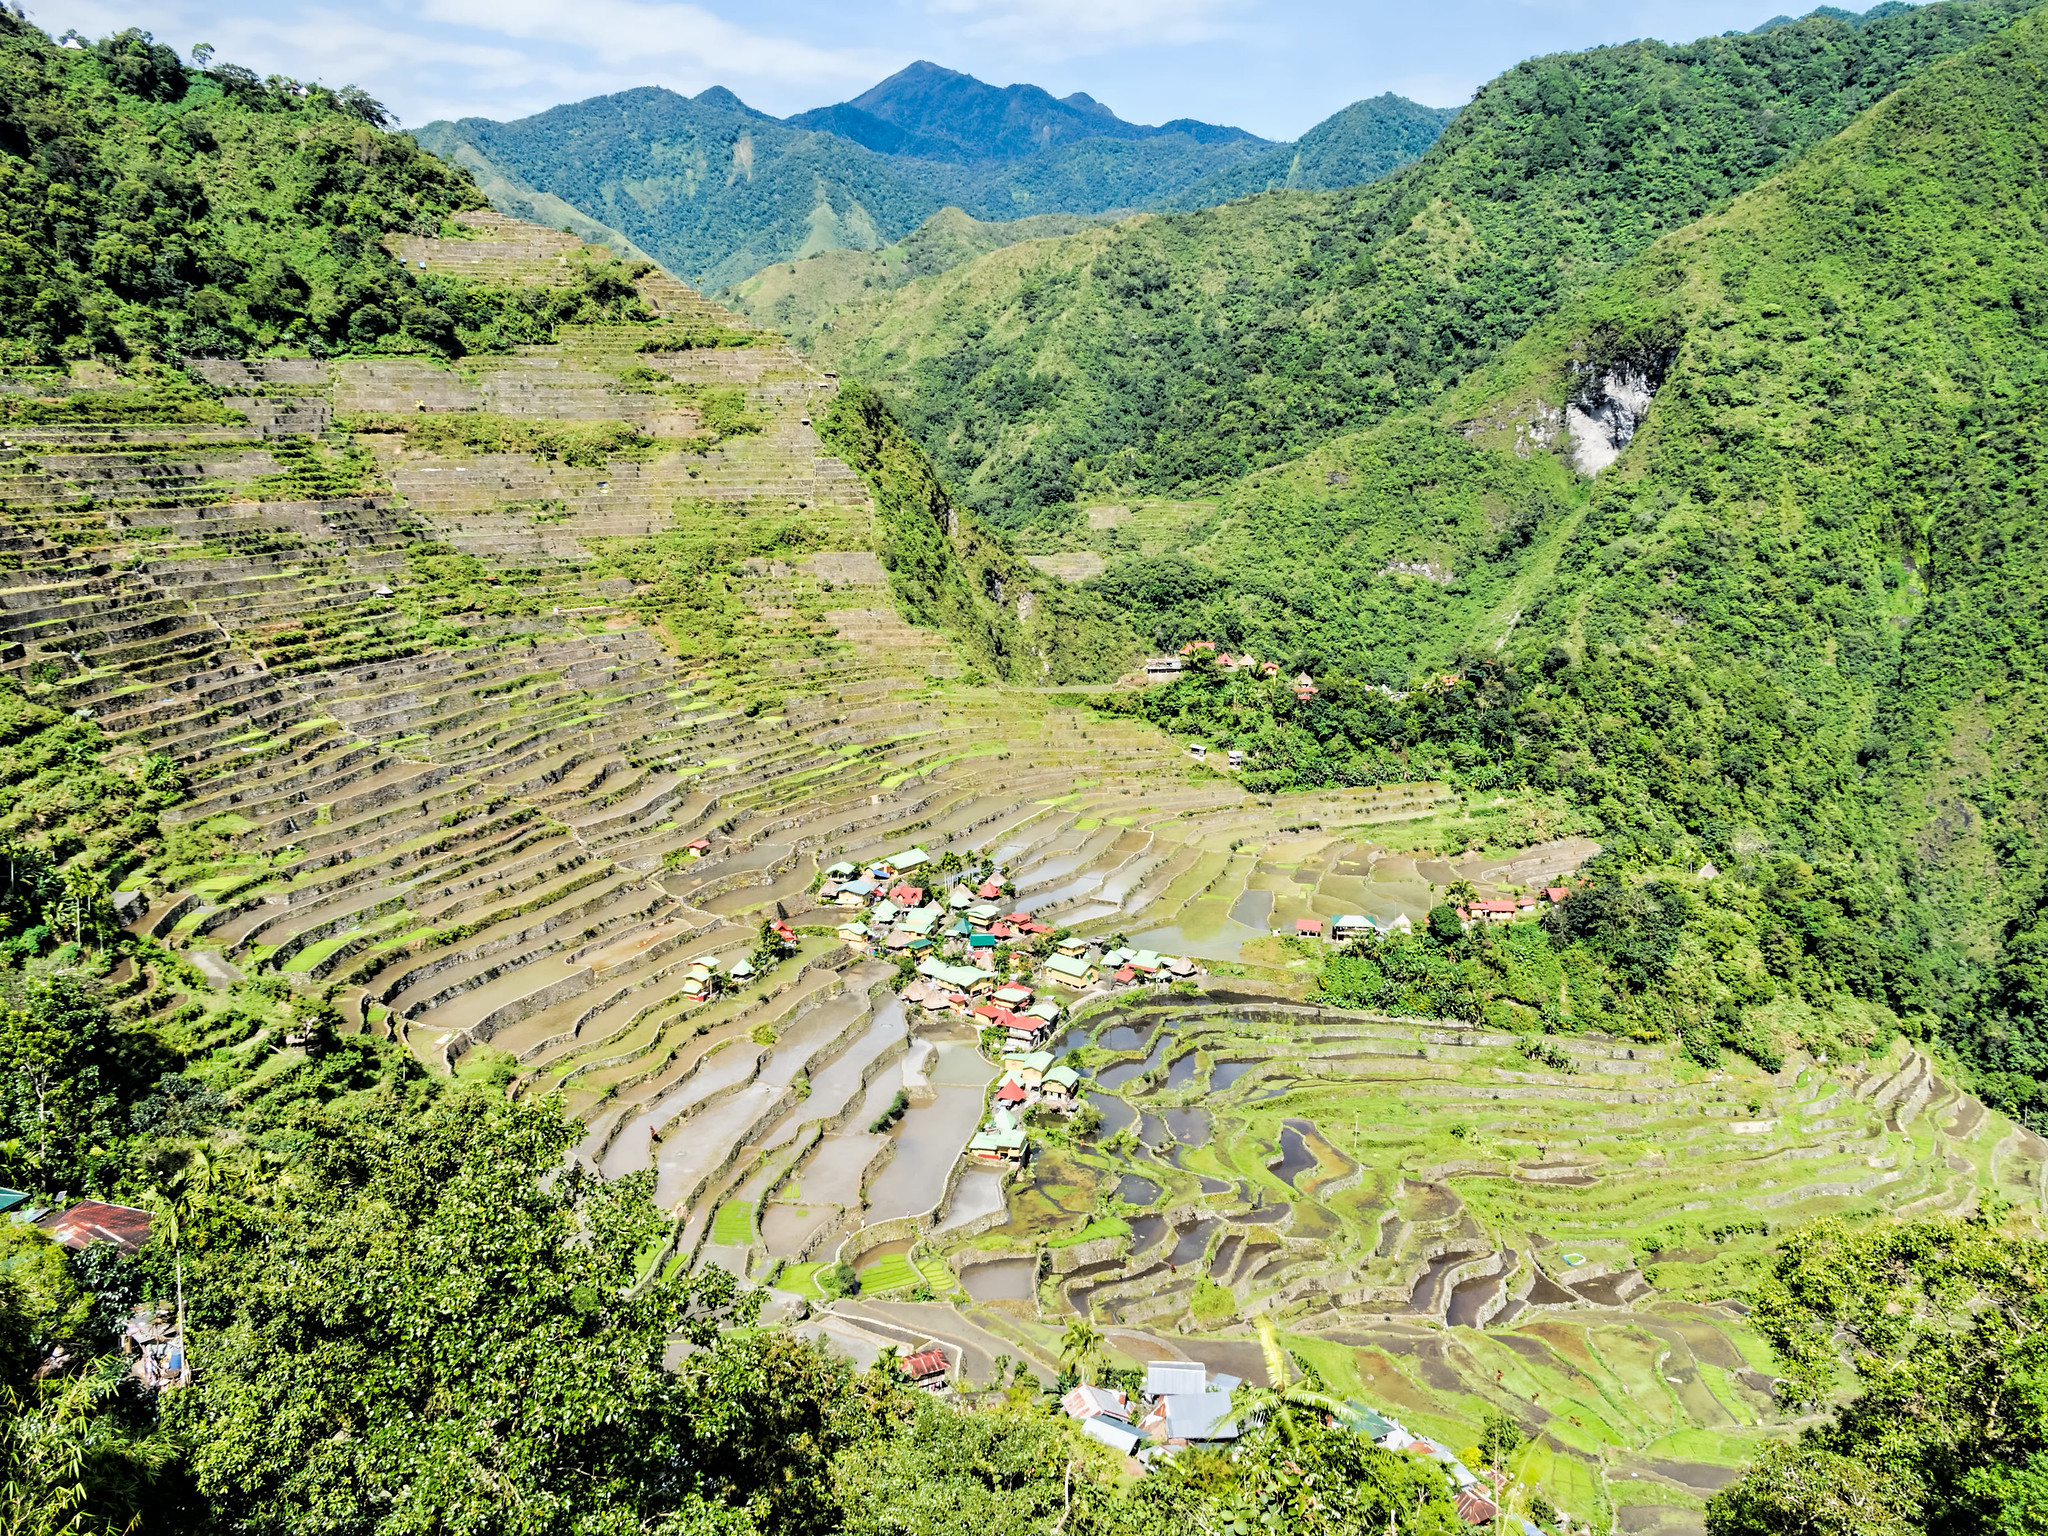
(447, 765)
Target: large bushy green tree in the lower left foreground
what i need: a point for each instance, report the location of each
(437, 1324)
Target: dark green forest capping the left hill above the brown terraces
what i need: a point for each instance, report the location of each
(148, 206)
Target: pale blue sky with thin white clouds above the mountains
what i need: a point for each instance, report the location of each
(1271, 67)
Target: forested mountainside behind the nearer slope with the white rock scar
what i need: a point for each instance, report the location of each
(1189, 349)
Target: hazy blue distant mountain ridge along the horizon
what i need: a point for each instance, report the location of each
(718, 191)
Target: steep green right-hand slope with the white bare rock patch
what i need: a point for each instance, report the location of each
(1795, 630)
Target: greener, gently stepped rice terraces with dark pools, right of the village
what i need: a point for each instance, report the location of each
(1445, 1228)
